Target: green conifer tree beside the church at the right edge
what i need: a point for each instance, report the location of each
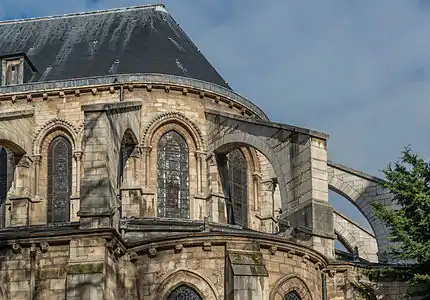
(409, 182)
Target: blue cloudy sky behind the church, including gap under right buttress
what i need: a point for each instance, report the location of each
(358, 70)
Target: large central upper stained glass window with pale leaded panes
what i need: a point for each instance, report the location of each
(172, 177)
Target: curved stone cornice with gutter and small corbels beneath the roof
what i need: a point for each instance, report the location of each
(148, 81)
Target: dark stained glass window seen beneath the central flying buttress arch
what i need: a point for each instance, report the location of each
(237, 178)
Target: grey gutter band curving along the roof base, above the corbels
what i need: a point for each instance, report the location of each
(149, 78)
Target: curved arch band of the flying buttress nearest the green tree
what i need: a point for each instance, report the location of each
(348, 191)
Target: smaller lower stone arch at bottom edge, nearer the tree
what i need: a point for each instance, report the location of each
(290, 283)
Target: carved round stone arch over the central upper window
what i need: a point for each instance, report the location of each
(173, 118)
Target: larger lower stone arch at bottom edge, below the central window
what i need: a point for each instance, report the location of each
(198, 282)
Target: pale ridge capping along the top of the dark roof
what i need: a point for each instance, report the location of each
(93, 12)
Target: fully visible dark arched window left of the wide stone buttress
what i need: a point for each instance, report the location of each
(59, 180)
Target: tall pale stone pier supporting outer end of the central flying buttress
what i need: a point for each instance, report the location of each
(307, 208)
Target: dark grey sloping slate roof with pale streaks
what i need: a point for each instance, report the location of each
(144, 39)
